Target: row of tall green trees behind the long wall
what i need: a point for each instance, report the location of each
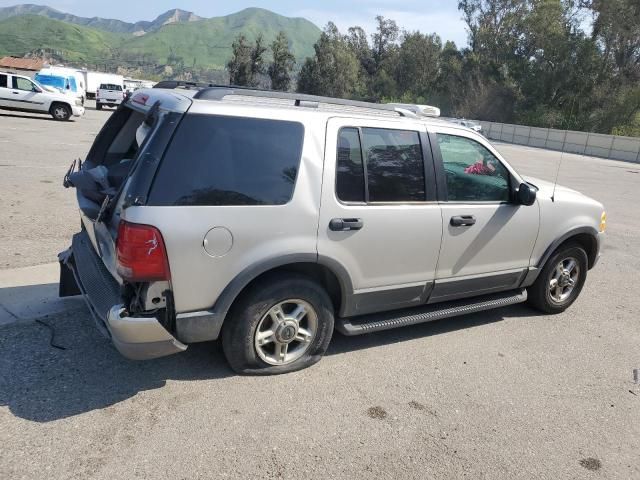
(527, 61)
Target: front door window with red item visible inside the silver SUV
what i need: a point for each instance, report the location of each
(474, 174)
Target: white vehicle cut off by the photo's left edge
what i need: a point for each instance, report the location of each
(20, 93)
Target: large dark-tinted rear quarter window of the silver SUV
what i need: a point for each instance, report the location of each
(216, 160)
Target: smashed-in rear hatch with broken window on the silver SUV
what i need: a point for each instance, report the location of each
(121, 165)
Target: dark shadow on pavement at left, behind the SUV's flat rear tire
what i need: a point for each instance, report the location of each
(42, 383)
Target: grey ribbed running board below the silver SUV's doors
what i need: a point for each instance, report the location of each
(402, 318)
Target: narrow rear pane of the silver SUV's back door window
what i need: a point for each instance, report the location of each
(350, 171)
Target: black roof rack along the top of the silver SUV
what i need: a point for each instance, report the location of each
(219, 92)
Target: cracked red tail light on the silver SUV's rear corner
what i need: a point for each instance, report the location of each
(142, 256)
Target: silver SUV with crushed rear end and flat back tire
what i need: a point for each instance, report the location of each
(269, 219)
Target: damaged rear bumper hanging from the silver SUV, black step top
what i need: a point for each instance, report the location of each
(135, 337)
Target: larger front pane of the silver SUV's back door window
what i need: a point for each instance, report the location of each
(395, 169)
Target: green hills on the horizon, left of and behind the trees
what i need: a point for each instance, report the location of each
(205, 42)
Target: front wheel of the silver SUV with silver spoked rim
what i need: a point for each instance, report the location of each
(560, 281)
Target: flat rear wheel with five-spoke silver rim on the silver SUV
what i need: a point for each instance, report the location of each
(283, 324)
